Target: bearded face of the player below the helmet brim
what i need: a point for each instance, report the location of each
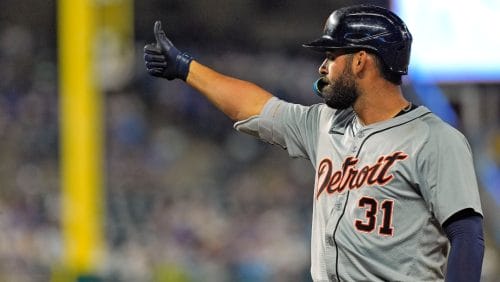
(340, 90)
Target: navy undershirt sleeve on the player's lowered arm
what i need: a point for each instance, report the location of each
(465, 232)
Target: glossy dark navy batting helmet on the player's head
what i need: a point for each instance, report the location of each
(371, 28)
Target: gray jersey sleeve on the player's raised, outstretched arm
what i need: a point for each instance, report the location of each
(291, 126)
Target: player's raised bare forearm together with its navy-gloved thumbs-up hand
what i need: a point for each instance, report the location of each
(236, 98)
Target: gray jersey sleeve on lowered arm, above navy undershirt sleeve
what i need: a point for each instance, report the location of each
(446, 173)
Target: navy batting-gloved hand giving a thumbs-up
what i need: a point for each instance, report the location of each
(163, 59)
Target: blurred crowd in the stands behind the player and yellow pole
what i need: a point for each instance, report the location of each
(187, 198)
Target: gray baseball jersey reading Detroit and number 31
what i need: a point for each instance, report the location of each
(381, 191)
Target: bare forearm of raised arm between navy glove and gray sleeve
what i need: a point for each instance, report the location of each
(236, 98)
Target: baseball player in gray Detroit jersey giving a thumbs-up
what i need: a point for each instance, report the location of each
(395, 195)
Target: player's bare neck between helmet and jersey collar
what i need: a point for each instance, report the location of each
(379, 102)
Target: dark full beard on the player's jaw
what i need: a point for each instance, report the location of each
(342, 92)
